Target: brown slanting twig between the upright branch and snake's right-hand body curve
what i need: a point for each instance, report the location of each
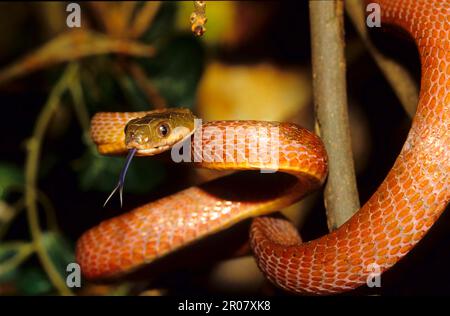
(398, 77)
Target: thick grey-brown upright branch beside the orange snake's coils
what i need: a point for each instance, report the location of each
(330, 99)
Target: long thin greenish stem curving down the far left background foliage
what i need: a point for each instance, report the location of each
(31, 170)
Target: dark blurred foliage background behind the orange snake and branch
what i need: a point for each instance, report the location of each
(253, 62)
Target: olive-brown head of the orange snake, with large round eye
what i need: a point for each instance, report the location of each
(158, 131)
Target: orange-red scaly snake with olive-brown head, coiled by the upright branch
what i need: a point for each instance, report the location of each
(393, 220)
